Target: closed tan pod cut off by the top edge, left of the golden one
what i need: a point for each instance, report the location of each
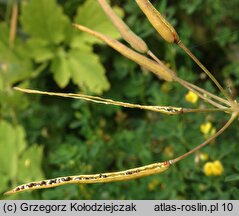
(135, 41)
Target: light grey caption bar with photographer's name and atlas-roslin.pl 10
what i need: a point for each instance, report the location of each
(117, 207)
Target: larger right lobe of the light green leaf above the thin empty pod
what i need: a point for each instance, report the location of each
(87, 71)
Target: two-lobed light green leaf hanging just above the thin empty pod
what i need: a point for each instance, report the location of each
(82, 66)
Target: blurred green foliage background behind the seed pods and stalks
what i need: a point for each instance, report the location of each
(45, 137)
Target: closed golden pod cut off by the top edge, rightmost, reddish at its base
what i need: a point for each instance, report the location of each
(162, 26)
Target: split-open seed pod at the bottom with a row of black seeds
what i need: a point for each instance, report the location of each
(139, 172)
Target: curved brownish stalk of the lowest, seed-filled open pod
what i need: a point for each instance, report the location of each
(232, 118)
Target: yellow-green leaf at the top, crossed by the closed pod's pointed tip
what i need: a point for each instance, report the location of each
(91, 15)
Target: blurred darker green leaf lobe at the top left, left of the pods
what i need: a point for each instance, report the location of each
(44, 19)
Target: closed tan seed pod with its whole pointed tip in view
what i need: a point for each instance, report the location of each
(160, 70)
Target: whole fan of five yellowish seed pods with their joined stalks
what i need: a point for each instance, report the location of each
(143, 56)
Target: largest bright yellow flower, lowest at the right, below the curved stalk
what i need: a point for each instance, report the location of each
(213, 168)
